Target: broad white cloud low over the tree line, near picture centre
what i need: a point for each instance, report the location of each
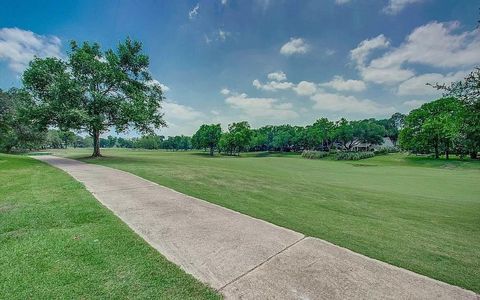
(261, 107)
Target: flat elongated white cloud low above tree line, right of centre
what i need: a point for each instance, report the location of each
(348, 104)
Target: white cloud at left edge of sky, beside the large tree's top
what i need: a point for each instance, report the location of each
(18, 47)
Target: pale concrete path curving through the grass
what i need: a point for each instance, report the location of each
(243, 257)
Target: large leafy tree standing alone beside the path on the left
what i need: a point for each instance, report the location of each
(94, 90)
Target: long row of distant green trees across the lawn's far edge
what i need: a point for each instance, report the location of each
(323, 135)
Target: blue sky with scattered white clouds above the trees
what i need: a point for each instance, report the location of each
(267, 62)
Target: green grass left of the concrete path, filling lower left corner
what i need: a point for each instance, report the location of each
(57, 241)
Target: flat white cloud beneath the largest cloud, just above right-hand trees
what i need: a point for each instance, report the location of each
(418, 85)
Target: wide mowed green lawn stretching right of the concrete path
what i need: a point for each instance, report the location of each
(416, 213)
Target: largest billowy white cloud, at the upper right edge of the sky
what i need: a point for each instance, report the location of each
(434, 44)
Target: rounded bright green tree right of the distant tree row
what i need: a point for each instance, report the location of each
(435, 126)
